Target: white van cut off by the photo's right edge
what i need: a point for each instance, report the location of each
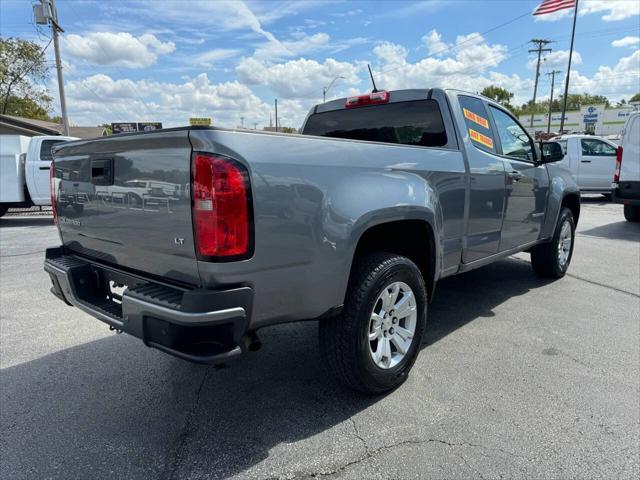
(626, 179)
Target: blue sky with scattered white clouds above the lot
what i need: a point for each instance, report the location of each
(166, 60)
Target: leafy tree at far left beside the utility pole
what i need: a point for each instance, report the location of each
(22, 65)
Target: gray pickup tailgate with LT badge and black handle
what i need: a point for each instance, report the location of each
(125, 201)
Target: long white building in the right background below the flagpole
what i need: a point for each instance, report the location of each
(594, 119)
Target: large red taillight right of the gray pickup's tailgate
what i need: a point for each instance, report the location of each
(221, 207)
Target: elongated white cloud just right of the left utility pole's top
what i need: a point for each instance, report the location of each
(122, 49)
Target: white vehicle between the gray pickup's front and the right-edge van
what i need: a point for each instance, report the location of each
(591, 160)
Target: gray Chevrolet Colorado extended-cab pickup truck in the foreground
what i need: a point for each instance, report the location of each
(352, 223)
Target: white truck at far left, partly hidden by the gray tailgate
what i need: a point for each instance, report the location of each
(24, 170)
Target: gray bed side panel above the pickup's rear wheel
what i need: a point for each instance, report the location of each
(310, 211)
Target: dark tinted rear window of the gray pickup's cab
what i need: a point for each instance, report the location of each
(416, 123)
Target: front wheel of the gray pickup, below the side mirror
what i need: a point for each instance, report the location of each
(546, 259)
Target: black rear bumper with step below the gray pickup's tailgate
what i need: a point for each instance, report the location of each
(203, 326)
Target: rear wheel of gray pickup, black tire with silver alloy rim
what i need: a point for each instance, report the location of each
(345, 344)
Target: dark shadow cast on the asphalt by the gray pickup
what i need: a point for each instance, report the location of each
(112, 408)
